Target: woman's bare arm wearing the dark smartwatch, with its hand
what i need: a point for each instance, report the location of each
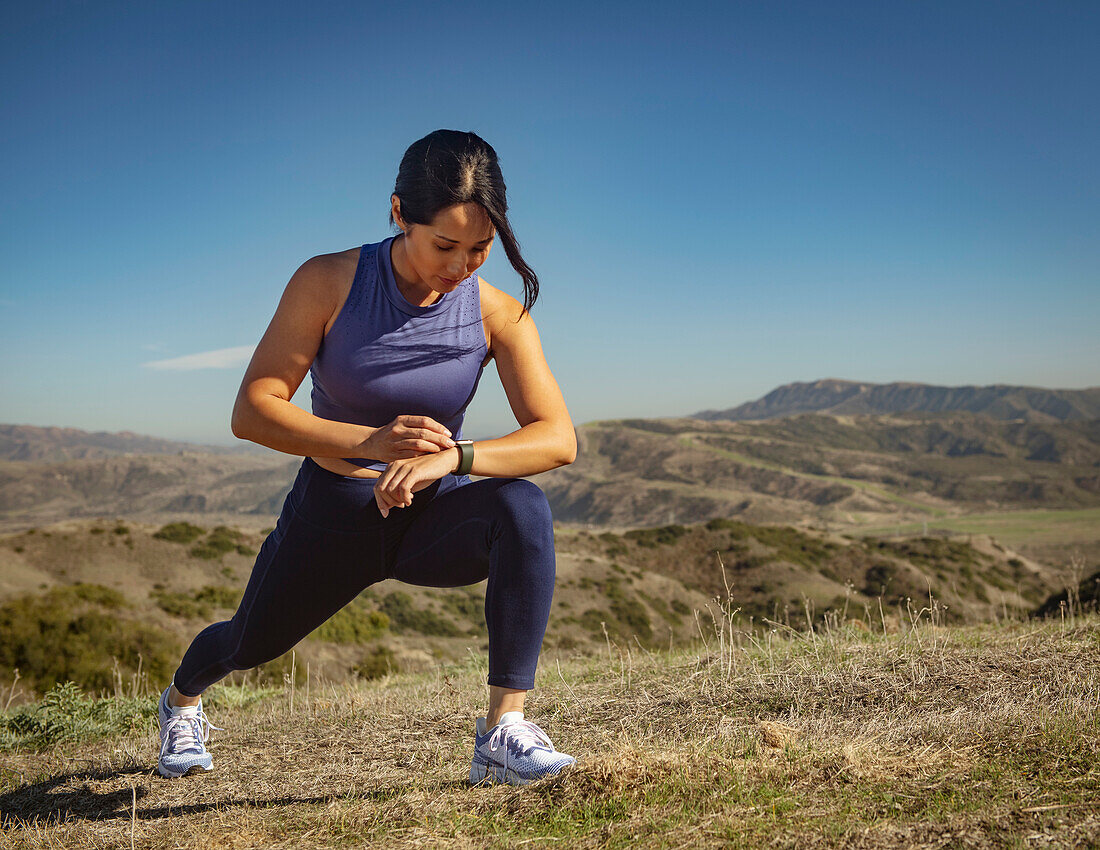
(545, 440)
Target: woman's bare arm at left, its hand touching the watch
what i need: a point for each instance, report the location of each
(263, 412)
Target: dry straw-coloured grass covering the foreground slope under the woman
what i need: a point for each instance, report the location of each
(848, 737)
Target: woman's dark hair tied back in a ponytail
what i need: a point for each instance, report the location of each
(448, 168)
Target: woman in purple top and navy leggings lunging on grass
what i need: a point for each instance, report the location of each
(395, 336)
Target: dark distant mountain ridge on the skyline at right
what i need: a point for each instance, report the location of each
(850, 398)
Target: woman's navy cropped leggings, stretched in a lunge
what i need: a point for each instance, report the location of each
(332, 543)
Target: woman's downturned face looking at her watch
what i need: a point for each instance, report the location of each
(435, 259)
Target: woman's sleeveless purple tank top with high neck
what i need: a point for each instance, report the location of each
(386, 357)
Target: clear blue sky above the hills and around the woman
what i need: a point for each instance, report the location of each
(719, 198)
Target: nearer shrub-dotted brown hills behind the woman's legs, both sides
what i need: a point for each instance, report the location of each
(139, 589)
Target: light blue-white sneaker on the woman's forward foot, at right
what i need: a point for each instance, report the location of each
(515, 752)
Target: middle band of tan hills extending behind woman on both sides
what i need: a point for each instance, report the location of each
(809, 469)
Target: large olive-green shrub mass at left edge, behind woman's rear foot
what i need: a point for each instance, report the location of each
(76, 634)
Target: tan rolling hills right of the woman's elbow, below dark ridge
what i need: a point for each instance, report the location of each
(818, 468)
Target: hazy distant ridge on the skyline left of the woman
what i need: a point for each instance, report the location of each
(20, 443)
